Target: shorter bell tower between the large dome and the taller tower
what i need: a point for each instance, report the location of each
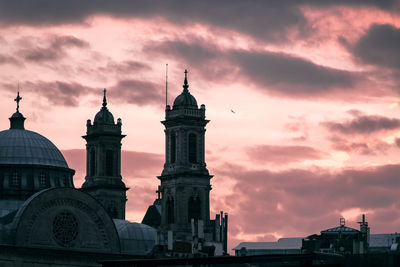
(103, 162)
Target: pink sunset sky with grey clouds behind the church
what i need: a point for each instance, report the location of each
(303, 99)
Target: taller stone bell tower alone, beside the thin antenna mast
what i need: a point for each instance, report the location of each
(185, 180)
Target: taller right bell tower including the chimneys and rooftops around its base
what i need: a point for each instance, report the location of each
(182, 210)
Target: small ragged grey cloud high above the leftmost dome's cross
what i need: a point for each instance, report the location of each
(54, 49)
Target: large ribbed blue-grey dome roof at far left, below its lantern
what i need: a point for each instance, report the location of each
(18, 146)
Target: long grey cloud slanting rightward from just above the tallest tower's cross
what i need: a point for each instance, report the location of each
(277, 73)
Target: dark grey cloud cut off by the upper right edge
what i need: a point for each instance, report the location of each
(379, 46)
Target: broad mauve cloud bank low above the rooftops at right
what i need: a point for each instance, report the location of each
(302, 202)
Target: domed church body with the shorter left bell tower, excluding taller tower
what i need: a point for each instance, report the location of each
(45, 220)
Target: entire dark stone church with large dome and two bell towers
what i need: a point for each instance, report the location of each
(45, 220)
